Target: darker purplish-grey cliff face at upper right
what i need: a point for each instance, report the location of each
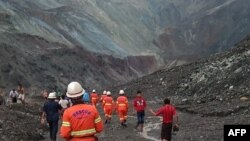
(204, 28)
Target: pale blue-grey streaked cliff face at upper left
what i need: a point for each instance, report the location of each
(106, 27)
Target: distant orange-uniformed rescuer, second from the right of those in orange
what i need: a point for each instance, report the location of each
(108, 107)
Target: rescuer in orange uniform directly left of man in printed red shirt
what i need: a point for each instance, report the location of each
(122, 108)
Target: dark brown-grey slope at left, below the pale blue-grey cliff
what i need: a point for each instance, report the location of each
(38, 63)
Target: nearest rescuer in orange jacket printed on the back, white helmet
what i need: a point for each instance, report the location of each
(81, 121)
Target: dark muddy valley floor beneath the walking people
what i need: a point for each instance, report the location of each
(23, 124)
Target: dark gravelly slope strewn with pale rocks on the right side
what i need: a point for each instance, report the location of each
(221, 80)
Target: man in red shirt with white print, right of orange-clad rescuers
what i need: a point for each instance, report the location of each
(140, 105)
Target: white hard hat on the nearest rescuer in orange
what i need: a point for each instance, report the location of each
(74, 90)
